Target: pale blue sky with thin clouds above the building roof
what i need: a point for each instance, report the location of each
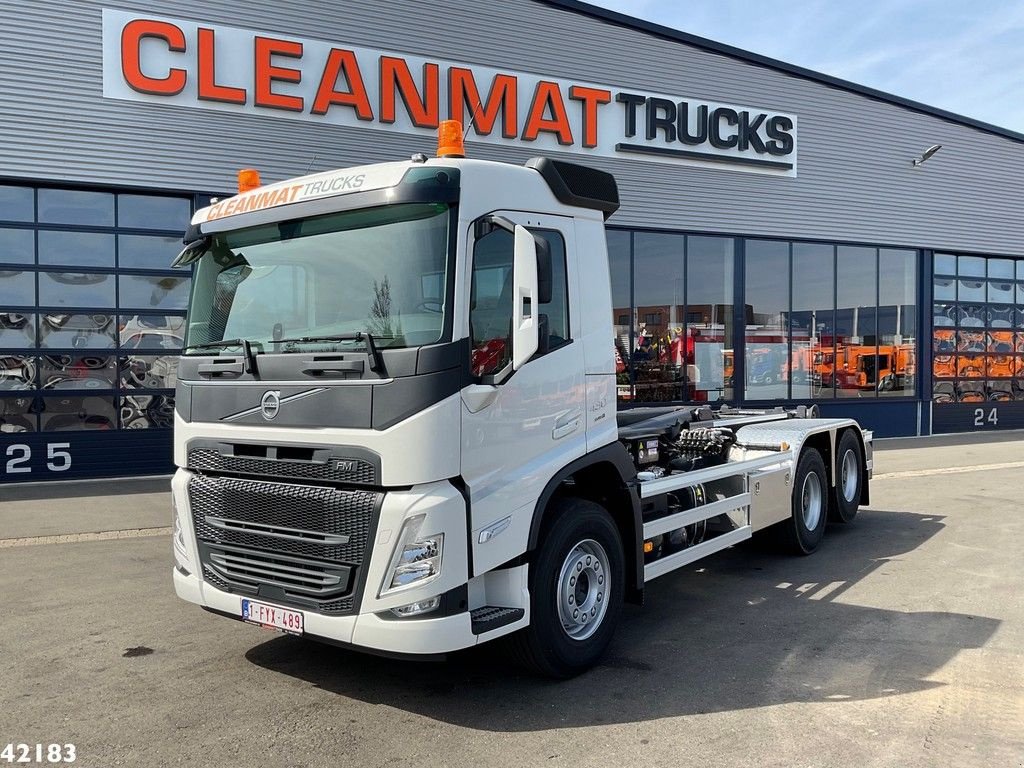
(962, 56)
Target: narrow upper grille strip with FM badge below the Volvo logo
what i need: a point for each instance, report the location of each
(334, 470)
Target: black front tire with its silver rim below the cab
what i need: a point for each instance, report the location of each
(580, 542)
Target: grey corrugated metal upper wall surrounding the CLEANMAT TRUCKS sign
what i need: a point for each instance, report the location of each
(856, 181)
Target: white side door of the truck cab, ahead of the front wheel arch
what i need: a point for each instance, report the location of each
(519, 428)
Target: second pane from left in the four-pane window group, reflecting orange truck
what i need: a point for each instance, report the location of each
(814, 321)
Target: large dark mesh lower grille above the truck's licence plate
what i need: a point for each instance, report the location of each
(301, 545)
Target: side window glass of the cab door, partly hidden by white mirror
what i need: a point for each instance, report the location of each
(491, 300)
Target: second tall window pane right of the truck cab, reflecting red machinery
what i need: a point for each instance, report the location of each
(658, 286)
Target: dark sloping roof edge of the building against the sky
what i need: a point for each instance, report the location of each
(622, 20)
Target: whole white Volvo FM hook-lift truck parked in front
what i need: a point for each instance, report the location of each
(397, 425)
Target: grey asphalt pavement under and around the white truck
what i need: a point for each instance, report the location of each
(900, 644)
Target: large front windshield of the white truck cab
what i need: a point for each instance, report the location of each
(381, 271)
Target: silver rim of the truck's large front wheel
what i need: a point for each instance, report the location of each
(583, 589)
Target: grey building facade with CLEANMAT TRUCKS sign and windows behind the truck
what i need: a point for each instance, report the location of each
(784, 237)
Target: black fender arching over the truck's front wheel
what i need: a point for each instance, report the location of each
(614, 458)
